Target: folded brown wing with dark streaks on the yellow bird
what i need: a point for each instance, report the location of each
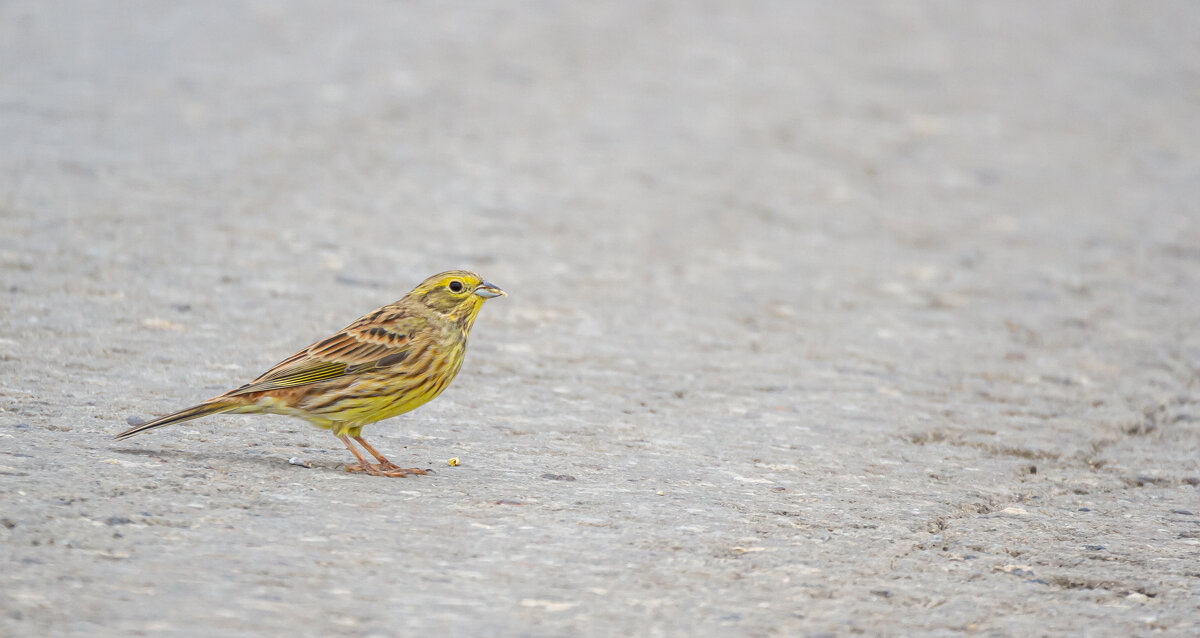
(376, 341)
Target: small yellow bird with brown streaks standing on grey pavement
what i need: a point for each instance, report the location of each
(388, 363)
